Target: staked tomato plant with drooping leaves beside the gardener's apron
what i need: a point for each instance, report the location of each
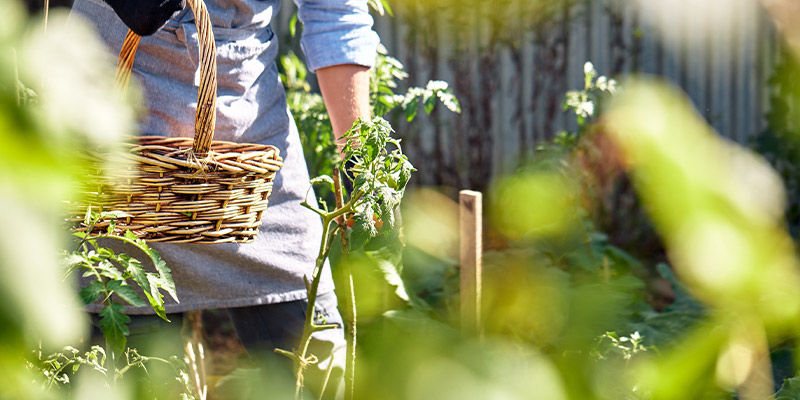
(378, 173)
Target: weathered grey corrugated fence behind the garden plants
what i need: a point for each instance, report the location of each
(511, 61)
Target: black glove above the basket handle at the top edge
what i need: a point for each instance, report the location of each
(145, 17)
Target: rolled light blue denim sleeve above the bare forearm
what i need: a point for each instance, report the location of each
(337, 32)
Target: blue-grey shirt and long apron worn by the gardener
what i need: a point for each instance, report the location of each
(251, 108)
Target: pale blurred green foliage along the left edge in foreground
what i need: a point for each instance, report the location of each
(69, 77)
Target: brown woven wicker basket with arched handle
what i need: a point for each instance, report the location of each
(186, 190)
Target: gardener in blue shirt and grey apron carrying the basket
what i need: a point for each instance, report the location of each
(260, 283)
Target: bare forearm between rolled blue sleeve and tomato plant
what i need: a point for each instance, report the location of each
(345, 90)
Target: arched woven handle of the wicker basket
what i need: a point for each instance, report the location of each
(206, 115)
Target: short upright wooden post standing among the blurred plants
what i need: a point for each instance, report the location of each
(471, 206)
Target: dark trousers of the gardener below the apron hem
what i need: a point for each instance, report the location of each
(261, 329)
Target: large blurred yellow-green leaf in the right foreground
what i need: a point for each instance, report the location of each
(719, 209)
